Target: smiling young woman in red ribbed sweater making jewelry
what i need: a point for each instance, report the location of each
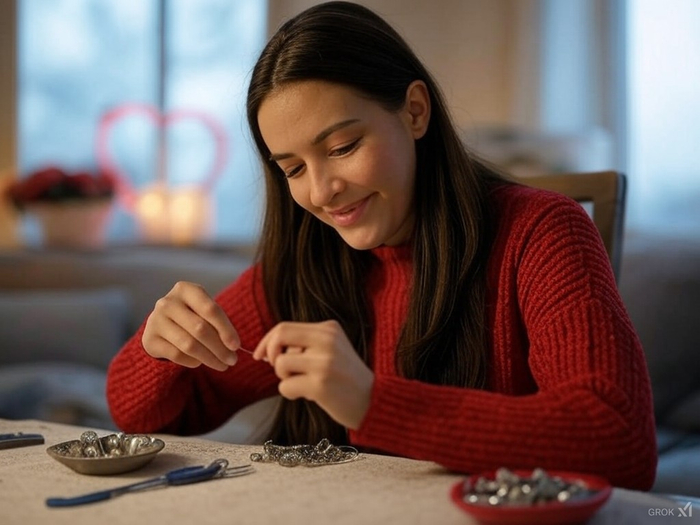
(406, 298)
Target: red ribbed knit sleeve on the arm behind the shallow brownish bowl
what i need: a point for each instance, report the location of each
(150, 395)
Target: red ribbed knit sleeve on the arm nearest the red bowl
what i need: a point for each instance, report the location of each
(568, 385)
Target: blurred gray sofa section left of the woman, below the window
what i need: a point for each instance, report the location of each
(64, 314)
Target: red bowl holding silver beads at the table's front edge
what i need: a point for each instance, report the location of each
(554, 513)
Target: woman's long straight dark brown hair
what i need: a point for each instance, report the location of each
(310, 274)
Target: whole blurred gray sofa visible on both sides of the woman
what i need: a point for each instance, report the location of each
(63, 315)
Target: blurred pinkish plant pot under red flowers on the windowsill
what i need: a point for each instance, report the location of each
(73, 223)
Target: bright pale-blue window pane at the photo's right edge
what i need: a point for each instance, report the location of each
(664, 115)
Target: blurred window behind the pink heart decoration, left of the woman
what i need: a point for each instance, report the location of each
(79, 59)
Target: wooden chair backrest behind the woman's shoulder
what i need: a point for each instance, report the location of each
(606, 190)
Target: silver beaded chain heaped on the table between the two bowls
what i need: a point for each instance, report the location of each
(309, 455)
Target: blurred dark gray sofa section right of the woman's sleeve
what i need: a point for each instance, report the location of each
(660, 285)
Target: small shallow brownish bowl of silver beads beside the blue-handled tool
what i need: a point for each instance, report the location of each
(111, 454)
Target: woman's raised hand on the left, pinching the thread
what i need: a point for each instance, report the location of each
(189, 328)
